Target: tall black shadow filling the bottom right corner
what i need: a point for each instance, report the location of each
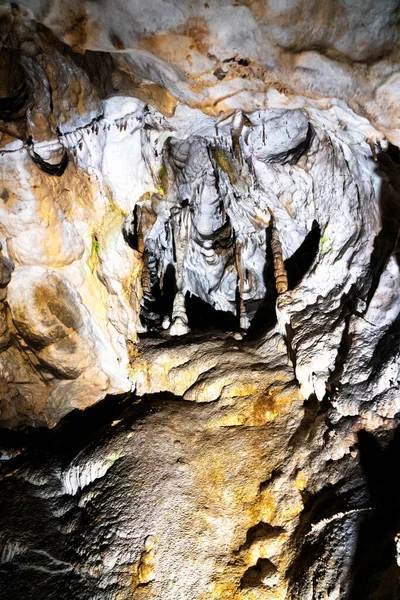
(375, 574)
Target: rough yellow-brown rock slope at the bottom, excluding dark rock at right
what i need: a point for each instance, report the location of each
(217, 488)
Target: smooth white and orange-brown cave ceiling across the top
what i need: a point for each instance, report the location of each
(248, 55)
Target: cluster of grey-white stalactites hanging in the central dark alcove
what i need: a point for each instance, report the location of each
(207, 229)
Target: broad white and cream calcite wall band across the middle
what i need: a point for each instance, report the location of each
(204, 192)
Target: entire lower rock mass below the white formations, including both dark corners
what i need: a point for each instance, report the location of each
(245, 497)
